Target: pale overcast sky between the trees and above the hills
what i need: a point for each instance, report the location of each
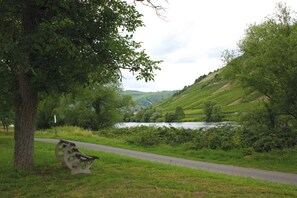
(191, 39)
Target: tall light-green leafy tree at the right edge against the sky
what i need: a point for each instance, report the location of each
(268, 61)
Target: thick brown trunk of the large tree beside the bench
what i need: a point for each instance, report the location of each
(26, 101)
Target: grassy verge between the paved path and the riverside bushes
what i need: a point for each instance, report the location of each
(277, 160)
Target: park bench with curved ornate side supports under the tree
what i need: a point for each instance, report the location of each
(69, 155)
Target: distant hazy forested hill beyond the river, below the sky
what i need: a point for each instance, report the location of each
(145, 99)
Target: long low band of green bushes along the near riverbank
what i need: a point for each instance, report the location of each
(224, 137)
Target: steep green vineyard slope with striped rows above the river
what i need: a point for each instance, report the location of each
(230, 95)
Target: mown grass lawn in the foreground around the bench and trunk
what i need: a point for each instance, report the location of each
(117, 176)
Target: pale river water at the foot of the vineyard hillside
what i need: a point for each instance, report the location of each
(188, 125)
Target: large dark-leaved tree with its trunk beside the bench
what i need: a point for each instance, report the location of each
(52, 46)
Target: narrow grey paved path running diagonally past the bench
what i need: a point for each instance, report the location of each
(219, 168)
